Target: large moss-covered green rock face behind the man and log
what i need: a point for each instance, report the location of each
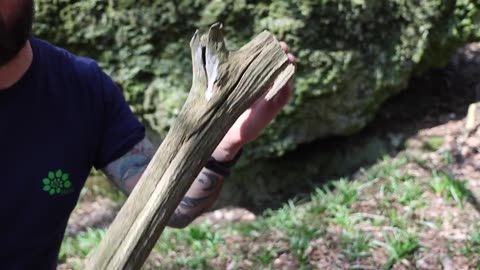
(352, 56)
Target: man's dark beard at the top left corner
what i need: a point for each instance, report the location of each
(15, 32)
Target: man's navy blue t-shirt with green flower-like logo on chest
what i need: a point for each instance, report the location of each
(61, 118)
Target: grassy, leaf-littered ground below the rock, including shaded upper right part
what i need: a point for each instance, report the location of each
(416, 208)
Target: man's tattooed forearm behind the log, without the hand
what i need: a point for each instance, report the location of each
(127, 170)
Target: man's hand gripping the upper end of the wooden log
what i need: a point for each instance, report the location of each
(254, 120)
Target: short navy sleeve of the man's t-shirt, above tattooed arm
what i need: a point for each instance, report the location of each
(119, 129)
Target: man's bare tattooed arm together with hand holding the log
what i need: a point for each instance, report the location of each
(127, 170)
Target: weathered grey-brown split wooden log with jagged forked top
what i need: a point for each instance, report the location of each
(225, 84)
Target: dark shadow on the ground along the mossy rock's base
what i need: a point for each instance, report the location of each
(434, 98)
